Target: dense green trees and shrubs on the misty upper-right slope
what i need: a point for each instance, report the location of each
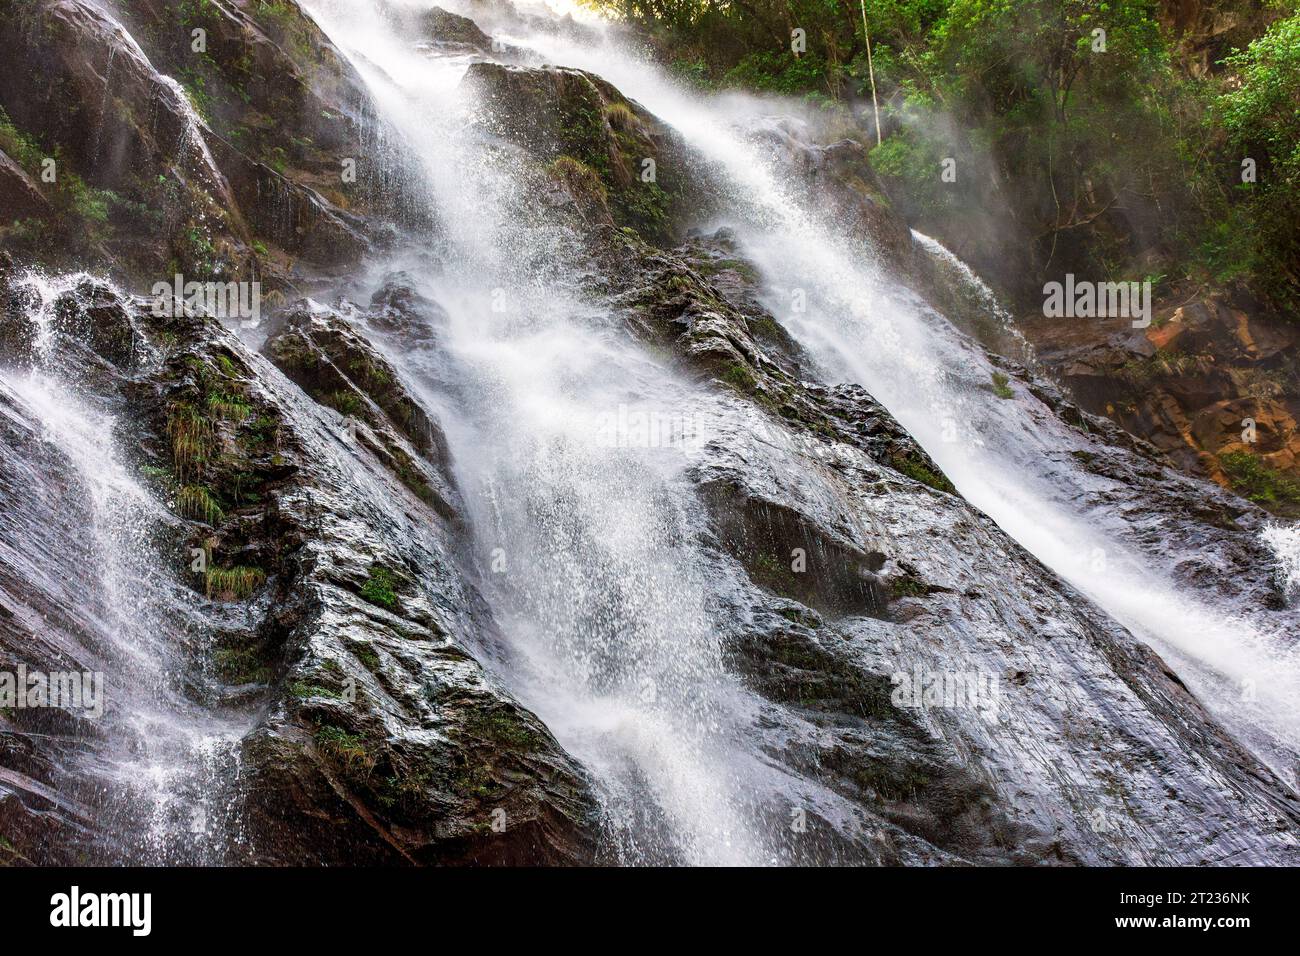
(1098, 137)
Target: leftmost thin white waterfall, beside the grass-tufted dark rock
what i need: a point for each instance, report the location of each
(164, 767)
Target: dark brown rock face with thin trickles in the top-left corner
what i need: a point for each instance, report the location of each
(229, 167)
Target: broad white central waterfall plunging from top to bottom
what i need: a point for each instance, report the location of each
(588, 551)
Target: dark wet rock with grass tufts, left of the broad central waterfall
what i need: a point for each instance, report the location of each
(327, 591)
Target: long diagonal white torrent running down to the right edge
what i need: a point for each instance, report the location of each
(1007, 457)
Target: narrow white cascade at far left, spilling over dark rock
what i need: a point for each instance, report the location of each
(167, 756)
